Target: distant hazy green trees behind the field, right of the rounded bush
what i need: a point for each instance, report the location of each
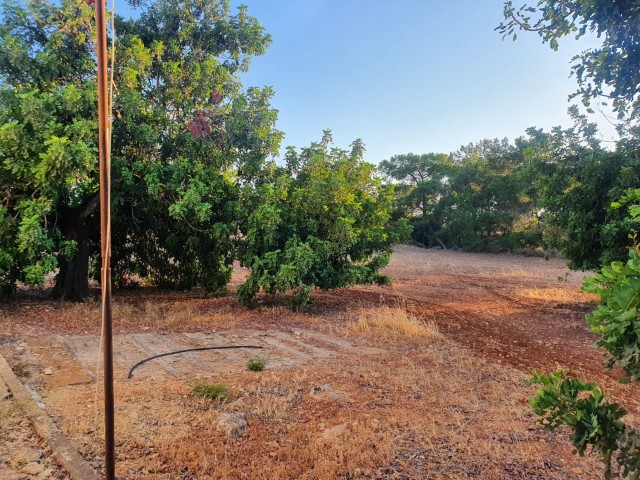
(472, 199)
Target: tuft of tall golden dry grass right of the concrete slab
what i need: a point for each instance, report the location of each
(387, 322)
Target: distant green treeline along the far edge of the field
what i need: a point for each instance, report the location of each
(547, 191)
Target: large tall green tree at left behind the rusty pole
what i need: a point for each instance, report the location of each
(185, 140)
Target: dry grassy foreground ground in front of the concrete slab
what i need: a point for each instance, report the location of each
(434, 411)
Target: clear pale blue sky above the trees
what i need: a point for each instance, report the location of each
(408, 75)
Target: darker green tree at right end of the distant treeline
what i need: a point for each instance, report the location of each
(573, 181)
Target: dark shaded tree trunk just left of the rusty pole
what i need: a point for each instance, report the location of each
(72, 281)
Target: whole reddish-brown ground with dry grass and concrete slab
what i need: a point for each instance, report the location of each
(435, 390)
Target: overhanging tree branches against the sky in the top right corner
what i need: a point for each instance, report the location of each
(612, 69)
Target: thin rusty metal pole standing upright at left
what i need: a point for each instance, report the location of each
(104, 143)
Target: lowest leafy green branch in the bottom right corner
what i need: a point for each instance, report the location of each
(595, 424)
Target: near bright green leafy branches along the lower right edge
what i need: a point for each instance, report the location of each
(569, 401)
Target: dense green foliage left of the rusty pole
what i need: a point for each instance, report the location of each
(47, 138)
